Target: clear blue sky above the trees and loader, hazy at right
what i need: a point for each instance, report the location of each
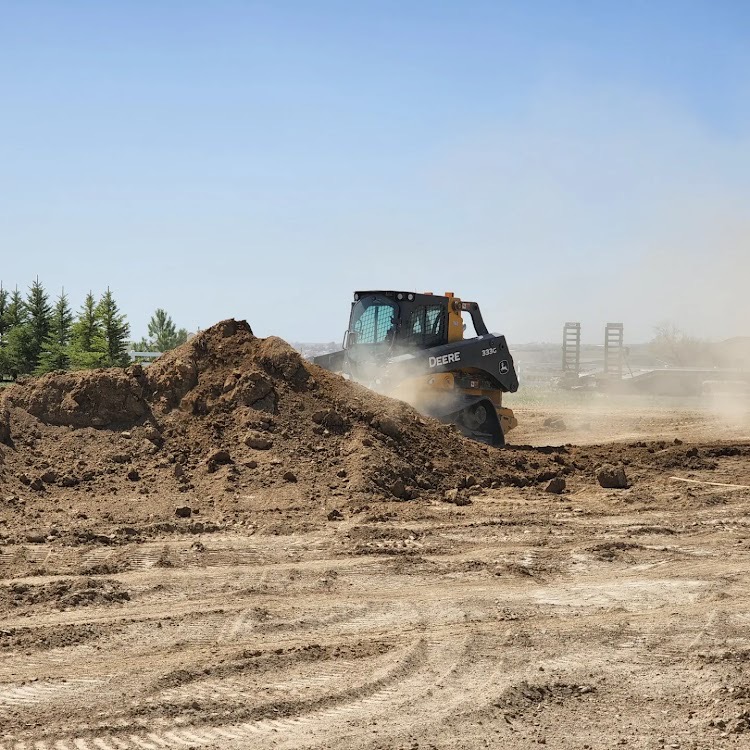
(552, 160)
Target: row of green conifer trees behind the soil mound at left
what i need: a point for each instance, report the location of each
(39, 335)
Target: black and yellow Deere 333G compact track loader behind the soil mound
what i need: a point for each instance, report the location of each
(411, 346)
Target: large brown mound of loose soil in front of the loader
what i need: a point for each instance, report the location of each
(224, 426)
